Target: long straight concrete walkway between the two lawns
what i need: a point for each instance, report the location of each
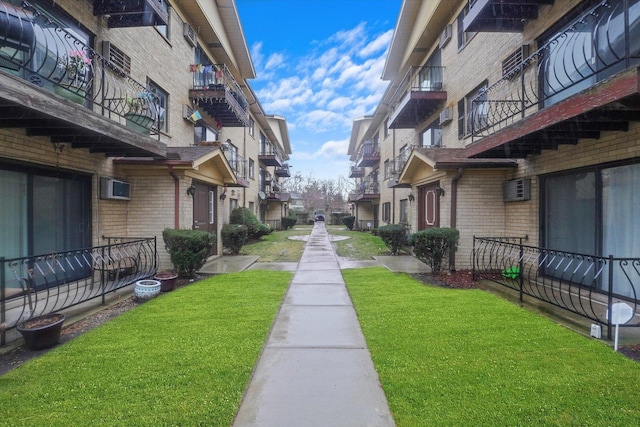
(315, 369)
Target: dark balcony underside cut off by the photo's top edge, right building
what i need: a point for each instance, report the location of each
(500, 15)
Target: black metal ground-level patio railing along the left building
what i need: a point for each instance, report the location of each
(42, 284)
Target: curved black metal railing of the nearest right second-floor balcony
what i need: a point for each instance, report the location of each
(598, 44)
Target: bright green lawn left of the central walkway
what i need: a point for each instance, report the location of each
(184, 358)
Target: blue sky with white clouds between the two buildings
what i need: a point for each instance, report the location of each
(318, 64)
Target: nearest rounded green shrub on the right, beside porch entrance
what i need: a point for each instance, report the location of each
(432, 245)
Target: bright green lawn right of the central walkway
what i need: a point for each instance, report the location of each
(466, 357)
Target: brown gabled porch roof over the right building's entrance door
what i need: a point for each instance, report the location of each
(447, 158)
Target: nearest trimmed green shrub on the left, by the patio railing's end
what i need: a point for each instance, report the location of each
(188, 249)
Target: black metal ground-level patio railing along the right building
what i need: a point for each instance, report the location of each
(587, 285)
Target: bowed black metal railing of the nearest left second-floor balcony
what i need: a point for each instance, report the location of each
(40, 51)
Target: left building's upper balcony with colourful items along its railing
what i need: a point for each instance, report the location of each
(219, 95)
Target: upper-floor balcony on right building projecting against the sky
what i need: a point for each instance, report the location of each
(419, 95)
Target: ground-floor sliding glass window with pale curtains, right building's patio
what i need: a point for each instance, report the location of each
(593, 211)
